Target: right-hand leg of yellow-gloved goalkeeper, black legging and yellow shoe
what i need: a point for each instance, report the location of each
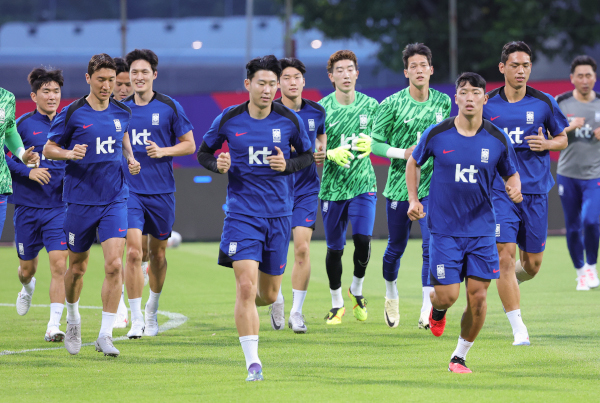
(361, 212)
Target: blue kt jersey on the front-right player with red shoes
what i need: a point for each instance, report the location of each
(460, 195)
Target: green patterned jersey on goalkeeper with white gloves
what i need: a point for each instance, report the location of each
(400, 121)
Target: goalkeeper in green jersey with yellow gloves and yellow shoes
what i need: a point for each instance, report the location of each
(348, 188)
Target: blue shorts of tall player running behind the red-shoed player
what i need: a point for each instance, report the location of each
(525, 223)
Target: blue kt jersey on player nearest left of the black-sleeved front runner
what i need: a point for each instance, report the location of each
(162, 121)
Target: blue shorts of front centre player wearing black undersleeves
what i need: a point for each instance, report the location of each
(264, 240)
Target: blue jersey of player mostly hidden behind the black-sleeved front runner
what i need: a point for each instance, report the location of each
(312, 114)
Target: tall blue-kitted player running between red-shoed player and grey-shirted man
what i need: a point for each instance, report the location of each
(529, 117)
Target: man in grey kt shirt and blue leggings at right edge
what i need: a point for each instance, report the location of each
(578, 173)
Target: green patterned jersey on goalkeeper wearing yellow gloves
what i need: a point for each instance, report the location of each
(344, 123)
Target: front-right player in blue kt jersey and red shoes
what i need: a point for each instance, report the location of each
(468, 152)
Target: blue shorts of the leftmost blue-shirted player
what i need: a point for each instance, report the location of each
(36, 228)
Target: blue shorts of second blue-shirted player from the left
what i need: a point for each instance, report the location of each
(81, 222)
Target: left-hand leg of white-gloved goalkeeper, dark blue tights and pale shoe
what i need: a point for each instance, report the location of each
(399, 230)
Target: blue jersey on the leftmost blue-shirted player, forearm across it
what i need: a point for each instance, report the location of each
(33, 128)
